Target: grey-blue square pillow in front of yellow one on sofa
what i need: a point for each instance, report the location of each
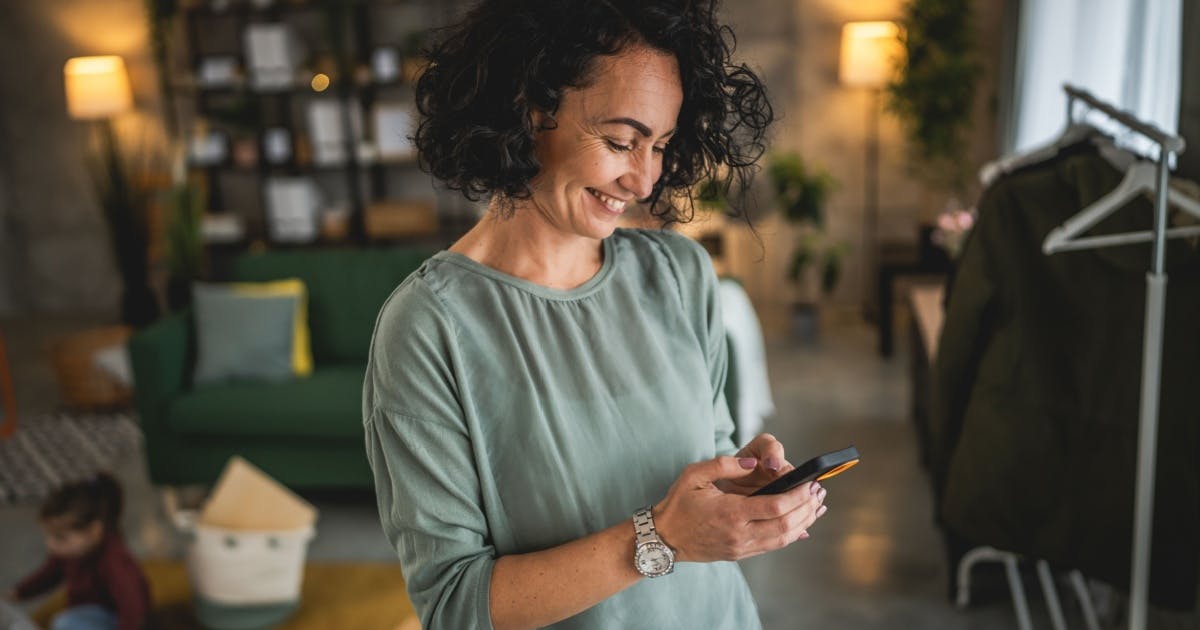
(241, 337)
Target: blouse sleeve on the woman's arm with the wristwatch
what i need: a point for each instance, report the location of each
(422, 455)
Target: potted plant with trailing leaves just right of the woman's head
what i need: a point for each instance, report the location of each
(815, 268)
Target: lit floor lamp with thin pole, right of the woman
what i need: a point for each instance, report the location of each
(869, 52)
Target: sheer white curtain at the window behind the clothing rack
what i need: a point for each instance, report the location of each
(1125, 52)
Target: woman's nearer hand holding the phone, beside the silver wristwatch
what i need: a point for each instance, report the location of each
(704, 524)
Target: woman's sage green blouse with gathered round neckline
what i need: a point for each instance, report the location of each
(503, 417)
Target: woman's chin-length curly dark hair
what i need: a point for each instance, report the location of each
(509, 58)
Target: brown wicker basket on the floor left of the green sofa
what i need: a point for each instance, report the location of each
(86, 386)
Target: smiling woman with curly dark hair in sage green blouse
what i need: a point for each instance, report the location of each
(535, 387)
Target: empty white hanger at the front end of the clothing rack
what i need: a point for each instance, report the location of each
(1139, 179)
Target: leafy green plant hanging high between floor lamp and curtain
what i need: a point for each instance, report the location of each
(935, 89)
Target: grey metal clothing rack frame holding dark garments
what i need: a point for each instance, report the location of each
(1153, 350)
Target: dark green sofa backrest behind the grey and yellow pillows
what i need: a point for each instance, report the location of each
(346, 291)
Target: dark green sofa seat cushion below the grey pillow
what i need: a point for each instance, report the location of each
(328, 404)
